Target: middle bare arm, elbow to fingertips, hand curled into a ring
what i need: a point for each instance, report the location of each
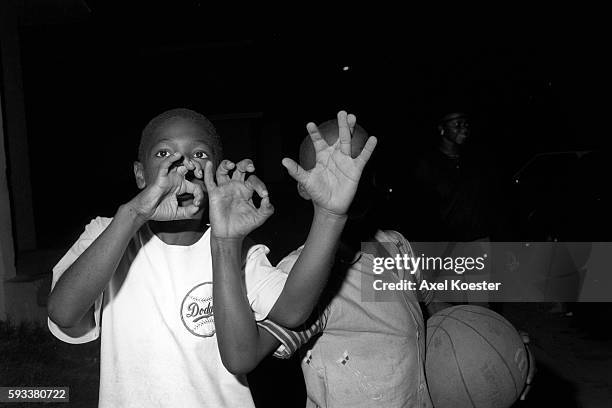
(232, 216)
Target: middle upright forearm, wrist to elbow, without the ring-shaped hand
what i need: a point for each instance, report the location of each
(236, 330)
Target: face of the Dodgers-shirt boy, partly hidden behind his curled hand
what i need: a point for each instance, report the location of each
(177, 136)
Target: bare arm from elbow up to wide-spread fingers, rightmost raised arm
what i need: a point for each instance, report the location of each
(331, 185)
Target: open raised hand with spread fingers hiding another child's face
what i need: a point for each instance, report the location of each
(333, 182)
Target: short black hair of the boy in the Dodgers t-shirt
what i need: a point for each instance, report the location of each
(189, 115)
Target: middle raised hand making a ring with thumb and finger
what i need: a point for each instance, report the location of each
(232, 213)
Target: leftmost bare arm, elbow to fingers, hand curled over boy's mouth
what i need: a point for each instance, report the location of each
(71, 300)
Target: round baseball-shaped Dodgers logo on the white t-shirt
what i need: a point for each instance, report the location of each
(197, 310)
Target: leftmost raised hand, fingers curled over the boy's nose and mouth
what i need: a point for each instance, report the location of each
(159, 201)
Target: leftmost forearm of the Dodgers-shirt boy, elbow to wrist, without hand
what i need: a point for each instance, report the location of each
(83, 282)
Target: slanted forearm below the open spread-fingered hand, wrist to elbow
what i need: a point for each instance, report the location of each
(310, 272)
